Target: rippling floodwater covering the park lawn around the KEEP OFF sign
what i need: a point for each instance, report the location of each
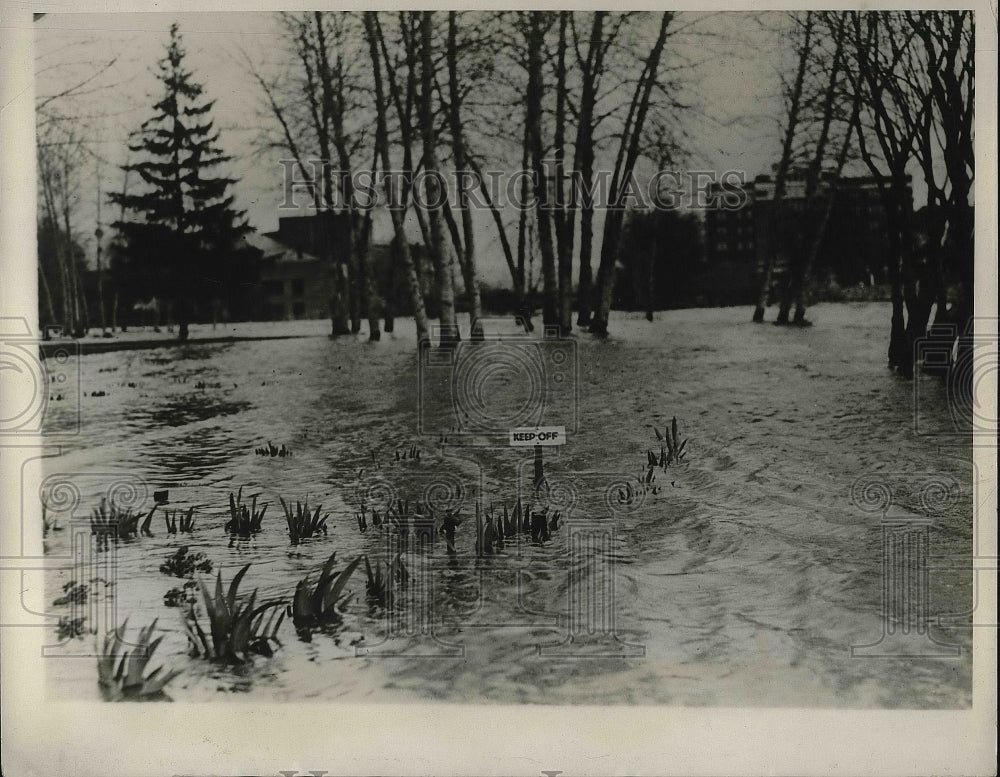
(742, 575)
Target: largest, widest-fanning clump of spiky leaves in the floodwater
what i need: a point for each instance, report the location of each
(238, 628)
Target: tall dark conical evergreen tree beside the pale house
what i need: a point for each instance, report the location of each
(179, 237)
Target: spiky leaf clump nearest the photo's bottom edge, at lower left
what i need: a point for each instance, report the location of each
(121, 674)
